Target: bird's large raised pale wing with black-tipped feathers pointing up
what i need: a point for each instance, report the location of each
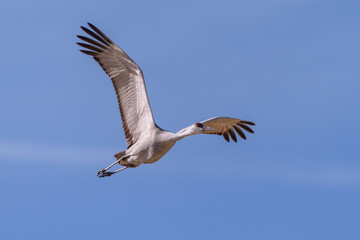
(128, 81)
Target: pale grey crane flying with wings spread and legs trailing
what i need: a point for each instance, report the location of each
(146, 141)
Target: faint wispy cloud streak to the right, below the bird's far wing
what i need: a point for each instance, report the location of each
(287, 172)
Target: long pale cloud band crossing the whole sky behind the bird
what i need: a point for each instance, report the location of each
(303, 173)
